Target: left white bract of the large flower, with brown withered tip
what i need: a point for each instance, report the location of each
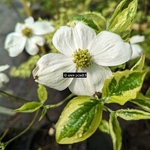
(50, 68)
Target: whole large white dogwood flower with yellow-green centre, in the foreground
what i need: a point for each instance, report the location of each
(82, 51)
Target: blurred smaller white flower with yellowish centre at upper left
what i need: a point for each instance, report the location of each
(27, 35)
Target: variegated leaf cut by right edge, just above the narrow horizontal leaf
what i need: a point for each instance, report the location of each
(142, 101)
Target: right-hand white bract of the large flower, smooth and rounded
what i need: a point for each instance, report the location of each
(108, 49)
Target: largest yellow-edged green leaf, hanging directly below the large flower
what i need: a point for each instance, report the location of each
(79, 120)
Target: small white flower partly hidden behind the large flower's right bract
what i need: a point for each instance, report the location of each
(136, 48)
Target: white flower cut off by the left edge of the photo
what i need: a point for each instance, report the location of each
(3, 78)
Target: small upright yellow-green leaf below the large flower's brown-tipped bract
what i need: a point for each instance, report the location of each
(42, 93)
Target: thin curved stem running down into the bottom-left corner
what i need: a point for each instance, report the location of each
(29, 126)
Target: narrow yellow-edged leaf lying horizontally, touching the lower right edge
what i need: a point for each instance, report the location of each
(132, 114)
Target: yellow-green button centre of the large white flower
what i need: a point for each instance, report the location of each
(82, 58)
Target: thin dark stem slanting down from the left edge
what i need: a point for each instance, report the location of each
(13, 97)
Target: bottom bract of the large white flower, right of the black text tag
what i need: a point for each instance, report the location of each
(96, 75)
